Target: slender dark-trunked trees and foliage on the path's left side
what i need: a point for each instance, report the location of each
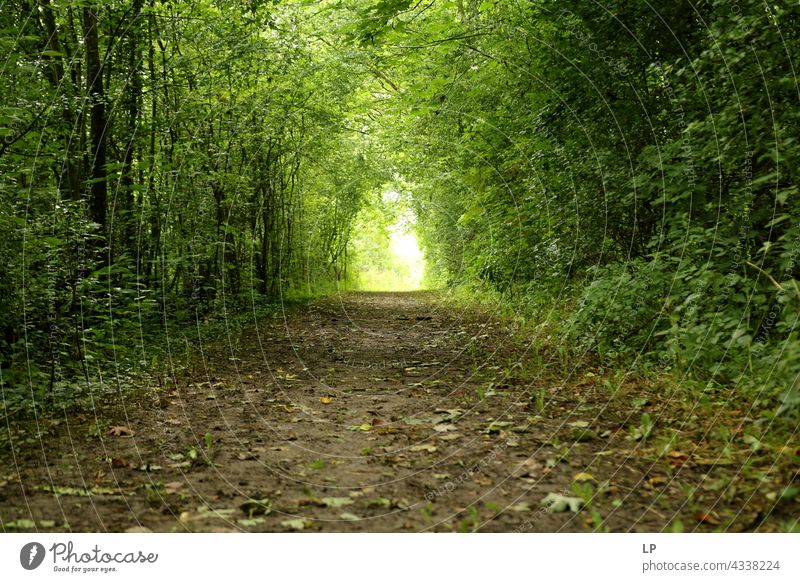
(227, 144)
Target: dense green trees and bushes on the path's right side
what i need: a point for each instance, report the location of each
(632, 162)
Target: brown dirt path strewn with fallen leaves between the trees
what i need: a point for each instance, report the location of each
(400, 412)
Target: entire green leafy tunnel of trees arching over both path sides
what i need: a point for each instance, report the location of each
(630, 165)
